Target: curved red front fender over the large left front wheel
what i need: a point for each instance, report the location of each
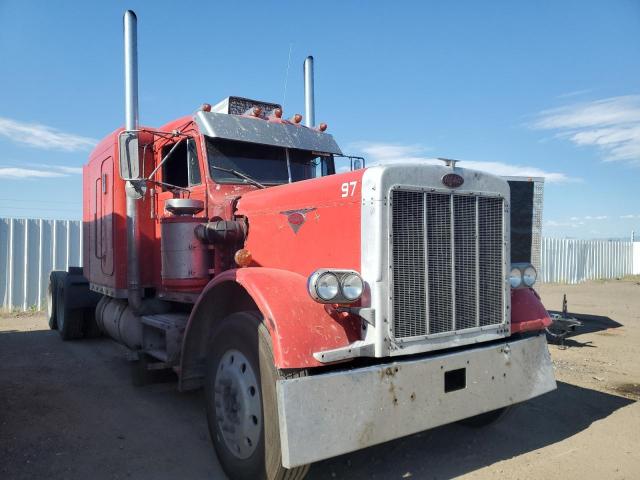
(298, 325)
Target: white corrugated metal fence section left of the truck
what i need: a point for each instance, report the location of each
(29, 250)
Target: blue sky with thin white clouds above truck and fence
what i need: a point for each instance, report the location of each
(536, 88)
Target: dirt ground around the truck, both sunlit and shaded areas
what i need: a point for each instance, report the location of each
(69, 411)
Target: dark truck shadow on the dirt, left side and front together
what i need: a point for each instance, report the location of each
(69, 410)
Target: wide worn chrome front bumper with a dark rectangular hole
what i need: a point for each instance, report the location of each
(330, 414)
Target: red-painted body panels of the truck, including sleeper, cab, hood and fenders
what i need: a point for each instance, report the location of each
(294, 229)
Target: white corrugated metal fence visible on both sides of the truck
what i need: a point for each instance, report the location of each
(30, 249)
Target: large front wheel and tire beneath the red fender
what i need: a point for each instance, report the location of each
(240, 391)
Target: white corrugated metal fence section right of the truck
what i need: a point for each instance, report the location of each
(574, 261)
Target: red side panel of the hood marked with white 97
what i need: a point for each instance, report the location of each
(327, 237)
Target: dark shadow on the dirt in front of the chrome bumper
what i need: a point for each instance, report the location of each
(454, 450)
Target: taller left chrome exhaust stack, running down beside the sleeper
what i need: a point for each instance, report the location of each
(133, 189)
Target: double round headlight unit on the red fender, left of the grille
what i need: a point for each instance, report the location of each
(335, 286)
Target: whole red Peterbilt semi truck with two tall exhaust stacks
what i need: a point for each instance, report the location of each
(321, 312)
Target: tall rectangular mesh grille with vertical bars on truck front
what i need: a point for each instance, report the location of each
(447, 262)
